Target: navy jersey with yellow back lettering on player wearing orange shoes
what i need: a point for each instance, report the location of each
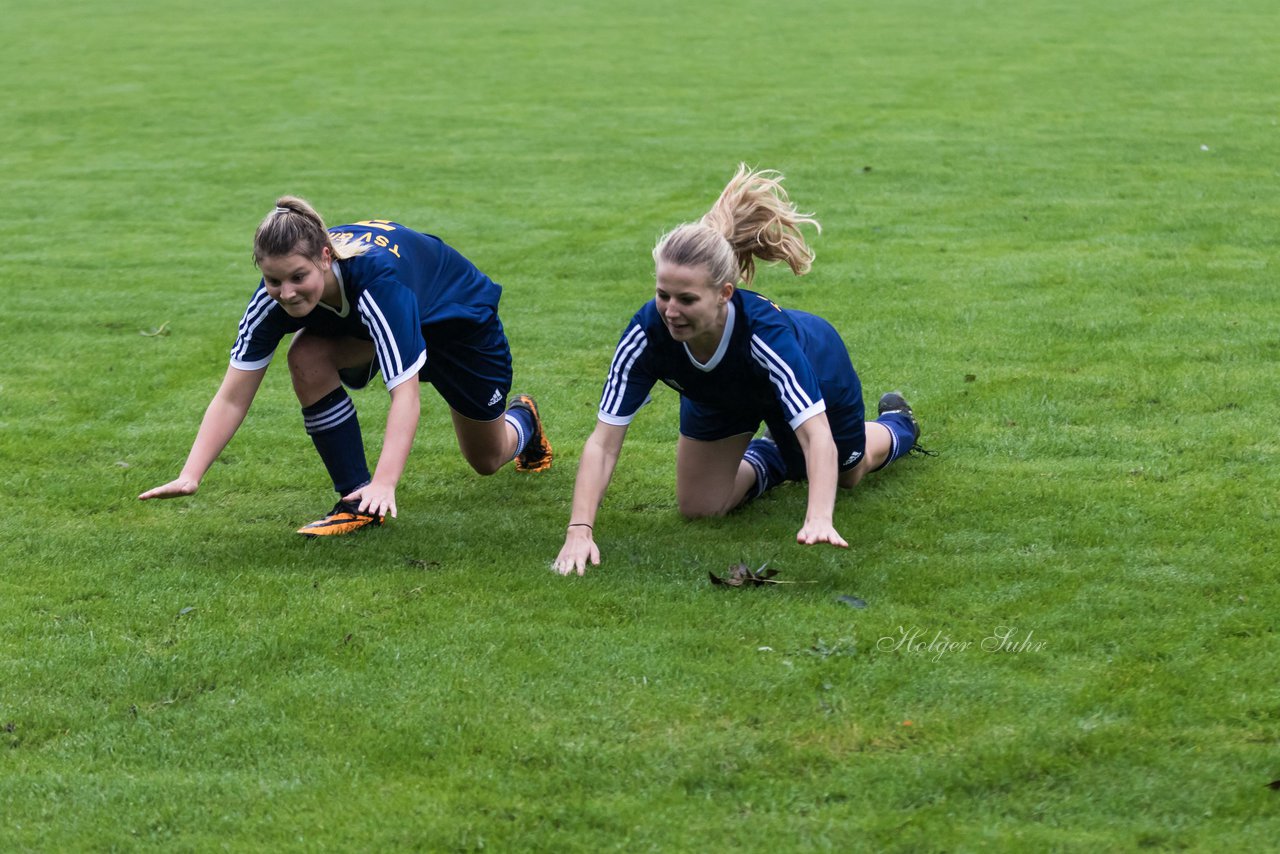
(405, 281)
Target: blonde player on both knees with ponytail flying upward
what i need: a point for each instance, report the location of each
(738, 360)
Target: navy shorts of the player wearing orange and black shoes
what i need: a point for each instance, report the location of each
(469, 364)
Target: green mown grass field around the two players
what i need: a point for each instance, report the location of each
(1054, 226)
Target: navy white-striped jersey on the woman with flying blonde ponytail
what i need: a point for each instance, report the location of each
(772, 366)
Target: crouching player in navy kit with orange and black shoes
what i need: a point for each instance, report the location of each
(362, 299)
